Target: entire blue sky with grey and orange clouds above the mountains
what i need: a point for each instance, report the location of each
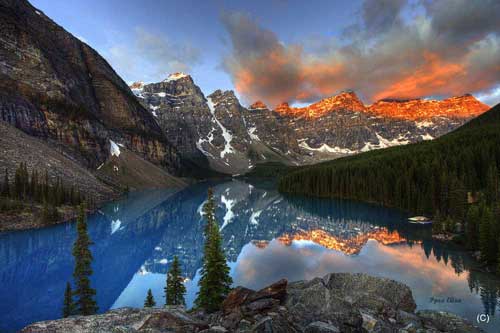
(298, 51)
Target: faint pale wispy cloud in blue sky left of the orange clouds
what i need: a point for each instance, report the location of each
(151, 57)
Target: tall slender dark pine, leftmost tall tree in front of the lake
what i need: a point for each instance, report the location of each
(83, 270)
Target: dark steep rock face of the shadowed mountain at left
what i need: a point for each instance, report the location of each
(55, 87)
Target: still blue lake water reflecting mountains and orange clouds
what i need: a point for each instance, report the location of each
(266, 237)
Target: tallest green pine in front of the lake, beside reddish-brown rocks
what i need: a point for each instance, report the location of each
(215, 282)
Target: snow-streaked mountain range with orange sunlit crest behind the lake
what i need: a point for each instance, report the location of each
(217, 131)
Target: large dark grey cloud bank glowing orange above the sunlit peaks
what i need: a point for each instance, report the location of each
(394, 50)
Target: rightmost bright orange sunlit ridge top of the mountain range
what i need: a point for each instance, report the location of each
(465, 106)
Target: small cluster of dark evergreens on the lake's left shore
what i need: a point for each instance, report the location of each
(24, 189)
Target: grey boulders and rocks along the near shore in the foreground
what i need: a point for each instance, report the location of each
(338, 302)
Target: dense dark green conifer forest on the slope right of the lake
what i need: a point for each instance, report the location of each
(454, 179)
